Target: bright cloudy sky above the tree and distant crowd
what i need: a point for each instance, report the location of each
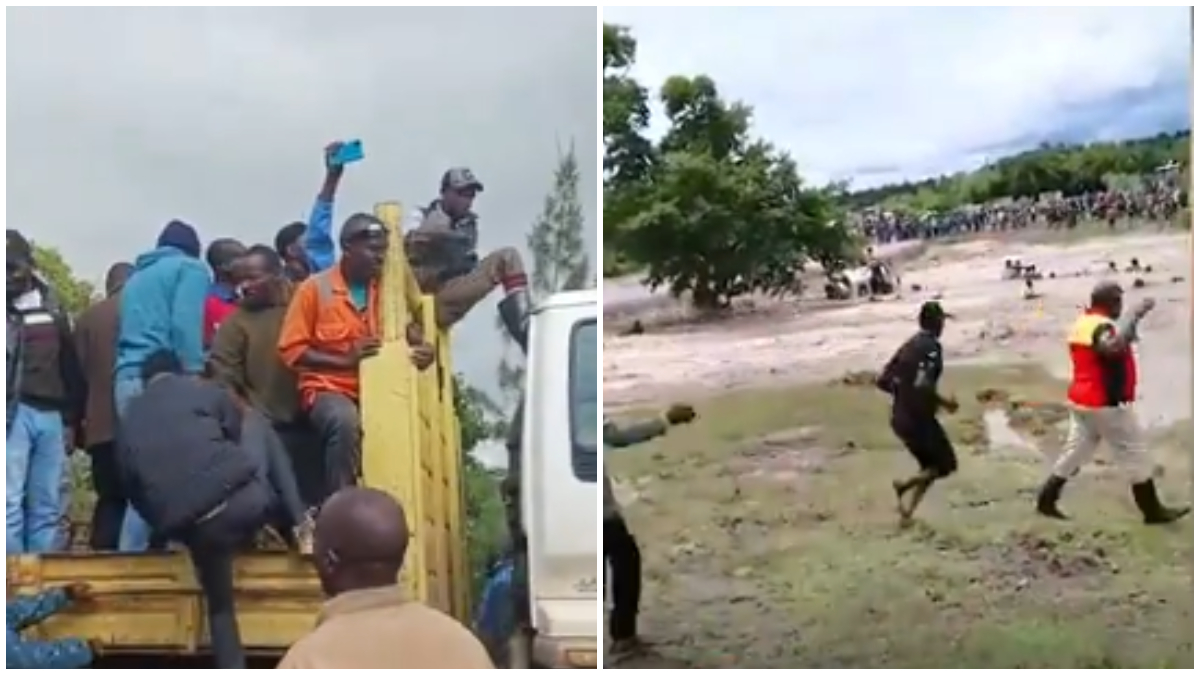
(883, 94)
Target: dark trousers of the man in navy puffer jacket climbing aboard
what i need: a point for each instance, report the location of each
(213, 545)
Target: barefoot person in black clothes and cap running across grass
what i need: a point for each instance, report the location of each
(911, 379)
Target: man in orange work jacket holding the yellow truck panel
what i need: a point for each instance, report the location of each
(332, 326)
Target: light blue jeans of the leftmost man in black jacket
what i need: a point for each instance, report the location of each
(35, 468)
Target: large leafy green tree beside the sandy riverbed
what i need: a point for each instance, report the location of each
(709, 210)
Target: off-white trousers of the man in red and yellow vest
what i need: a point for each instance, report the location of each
(1119, 428)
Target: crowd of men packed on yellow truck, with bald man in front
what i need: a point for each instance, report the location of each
(217, 393)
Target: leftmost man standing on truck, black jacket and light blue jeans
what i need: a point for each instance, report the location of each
(45, 375)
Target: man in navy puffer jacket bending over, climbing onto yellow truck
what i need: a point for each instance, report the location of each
(188, 476)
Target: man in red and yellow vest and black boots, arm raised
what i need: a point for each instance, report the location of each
(1103, 389)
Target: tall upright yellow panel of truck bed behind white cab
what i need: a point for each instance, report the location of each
(416, 456)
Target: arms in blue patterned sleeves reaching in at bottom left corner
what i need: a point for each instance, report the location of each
(26, 612)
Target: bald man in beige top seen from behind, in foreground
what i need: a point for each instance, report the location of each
(361, 543)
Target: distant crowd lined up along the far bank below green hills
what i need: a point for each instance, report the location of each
(1159, 202)
